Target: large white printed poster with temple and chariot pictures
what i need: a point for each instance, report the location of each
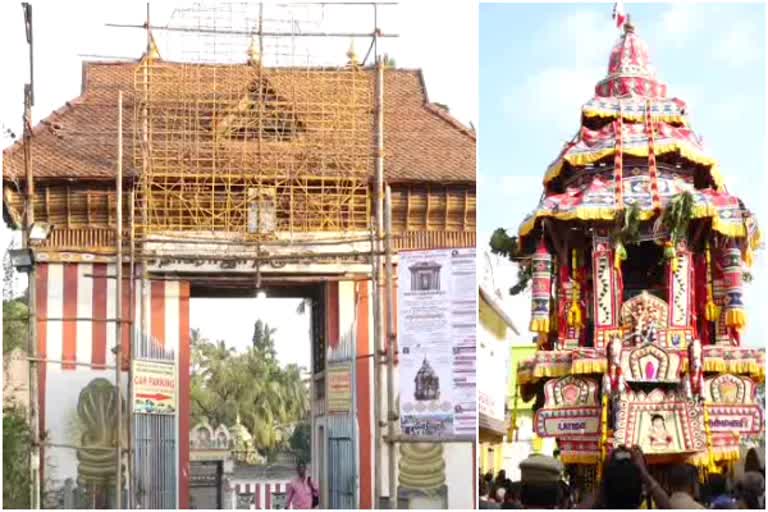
(437, 320)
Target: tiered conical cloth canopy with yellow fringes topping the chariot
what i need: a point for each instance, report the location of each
(635, 145)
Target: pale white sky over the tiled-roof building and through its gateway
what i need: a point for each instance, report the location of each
(67, 33)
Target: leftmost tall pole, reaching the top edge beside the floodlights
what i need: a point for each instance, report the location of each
(35, 466)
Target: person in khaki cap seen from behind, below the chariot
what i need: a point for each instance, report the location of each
(540, 482)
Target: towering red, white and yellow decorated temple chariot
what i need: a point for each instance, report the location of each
(636, 254)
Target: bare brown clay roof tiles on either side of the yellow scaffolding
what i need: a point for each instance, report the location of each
(423, 142)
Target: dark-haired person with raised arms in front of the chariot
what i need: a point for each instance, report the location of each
(626, 482)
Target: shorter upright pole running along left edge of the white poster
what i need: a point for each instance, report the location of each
(392, 414)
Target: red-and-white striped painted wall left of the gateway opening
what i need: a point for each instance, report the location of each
(76, 308)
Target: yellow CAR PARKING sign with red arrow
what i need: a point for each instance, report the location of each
(154, 387)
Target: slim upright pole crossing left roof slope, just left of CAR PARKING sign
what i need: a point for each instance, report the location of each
(119, 299)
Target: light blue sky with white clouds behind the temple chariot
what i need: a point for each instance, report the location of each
(539, 63)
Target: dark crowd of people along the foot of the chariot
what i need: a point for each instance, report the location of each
(626, 483)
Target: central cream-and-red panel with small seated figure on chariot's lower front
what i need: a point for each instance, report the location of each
(660, 422)
